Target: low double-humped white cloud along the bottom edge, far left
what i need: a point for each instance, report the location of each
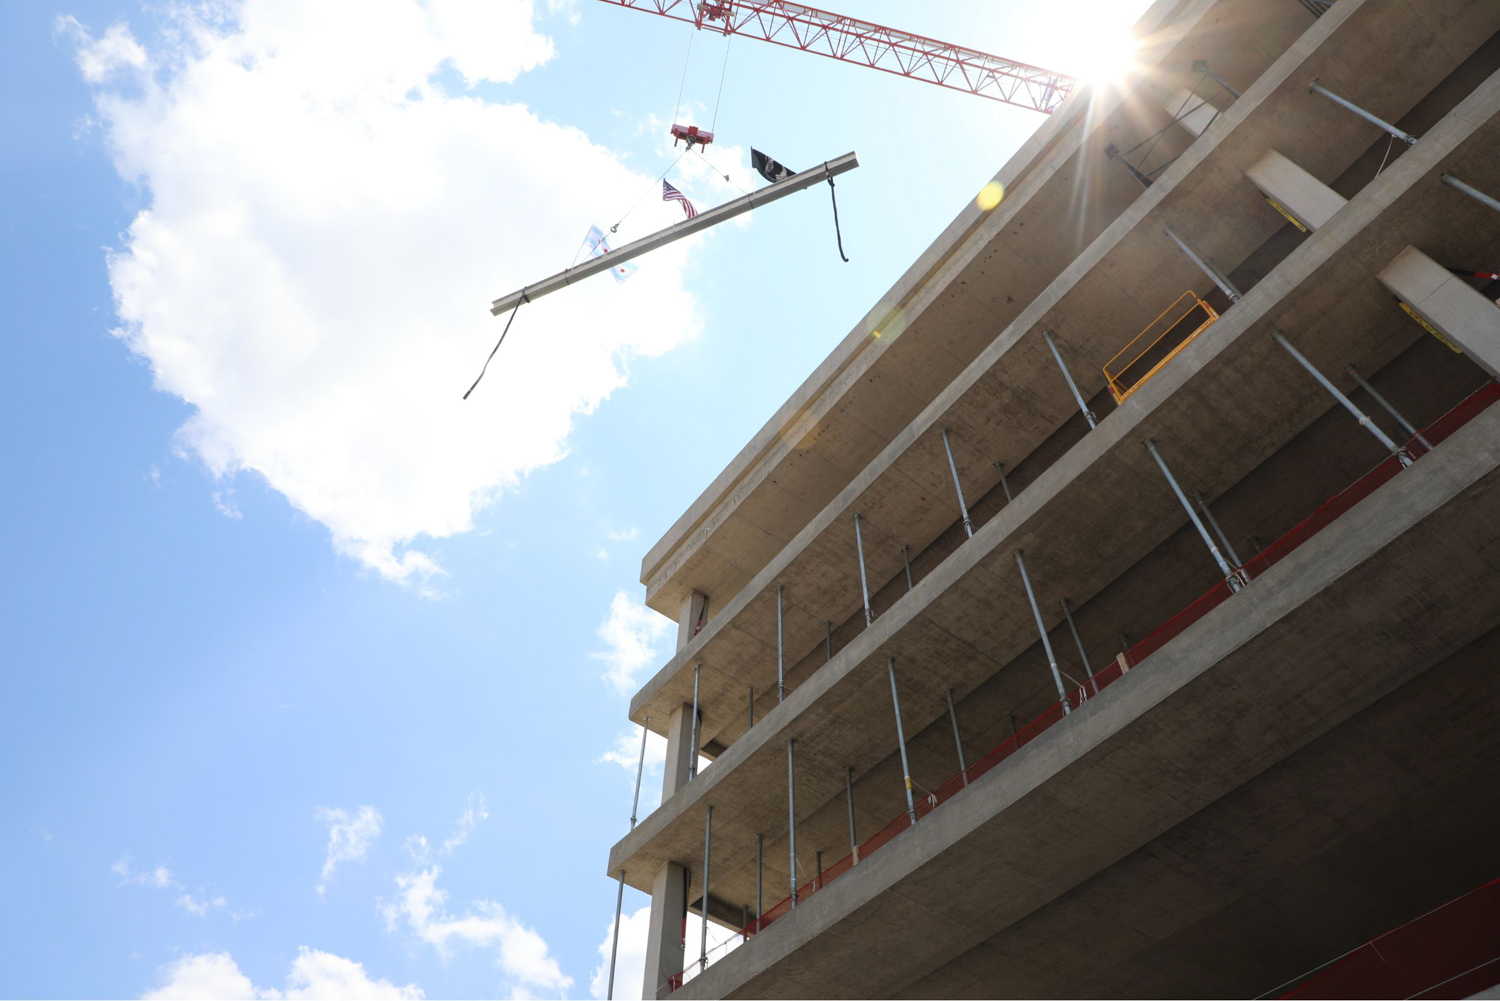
(313, 975)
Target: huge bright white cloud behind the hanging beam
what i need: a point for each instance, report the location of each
(325, 233)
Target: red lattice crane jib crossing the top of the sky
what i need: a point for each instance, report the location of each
(874, 46)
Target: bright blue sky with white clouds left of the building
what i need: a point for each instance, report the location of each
(316, 675)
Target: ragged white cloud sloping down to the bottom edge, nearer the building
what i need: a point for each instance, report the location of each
(520, 951)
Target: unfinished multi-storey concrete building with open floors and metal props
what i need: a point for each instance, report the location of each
(1114, 613)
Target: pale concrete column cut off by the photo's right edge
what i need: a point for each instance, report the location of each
(1447, 305)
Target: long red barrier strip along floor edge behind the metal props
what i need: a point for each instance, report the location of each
(1327, 514)
